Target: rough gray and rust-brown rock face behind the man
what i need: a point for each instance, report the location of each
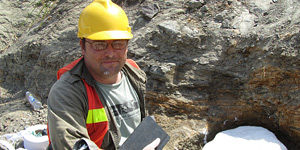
(211, 65)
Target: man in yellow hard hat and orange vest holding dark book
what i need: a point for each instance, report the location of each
(99, 98)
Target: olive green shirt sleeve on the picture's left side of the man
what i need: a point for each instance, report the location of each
(67, 111)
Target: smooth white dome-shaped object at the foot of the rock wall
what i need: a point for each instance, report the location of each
(245, 138)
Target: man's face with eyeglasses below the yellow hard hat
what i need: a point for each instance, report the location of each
(104, 62)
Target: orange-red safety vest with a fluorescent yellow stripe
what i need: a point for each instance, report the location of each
(96, 122)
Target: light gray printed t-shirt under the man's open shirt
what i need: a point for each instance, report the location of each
(123, 101)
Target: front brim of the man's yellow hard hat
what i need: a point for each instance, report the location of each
(109, 35)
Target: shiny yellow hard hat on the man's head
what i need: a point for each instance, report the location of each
(103, 20)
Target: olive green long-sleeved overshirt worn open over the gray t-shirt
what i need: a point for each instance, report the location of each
(68, 107)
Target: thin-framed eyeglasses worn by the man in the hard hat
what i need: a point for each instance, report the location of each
(102, 45)
